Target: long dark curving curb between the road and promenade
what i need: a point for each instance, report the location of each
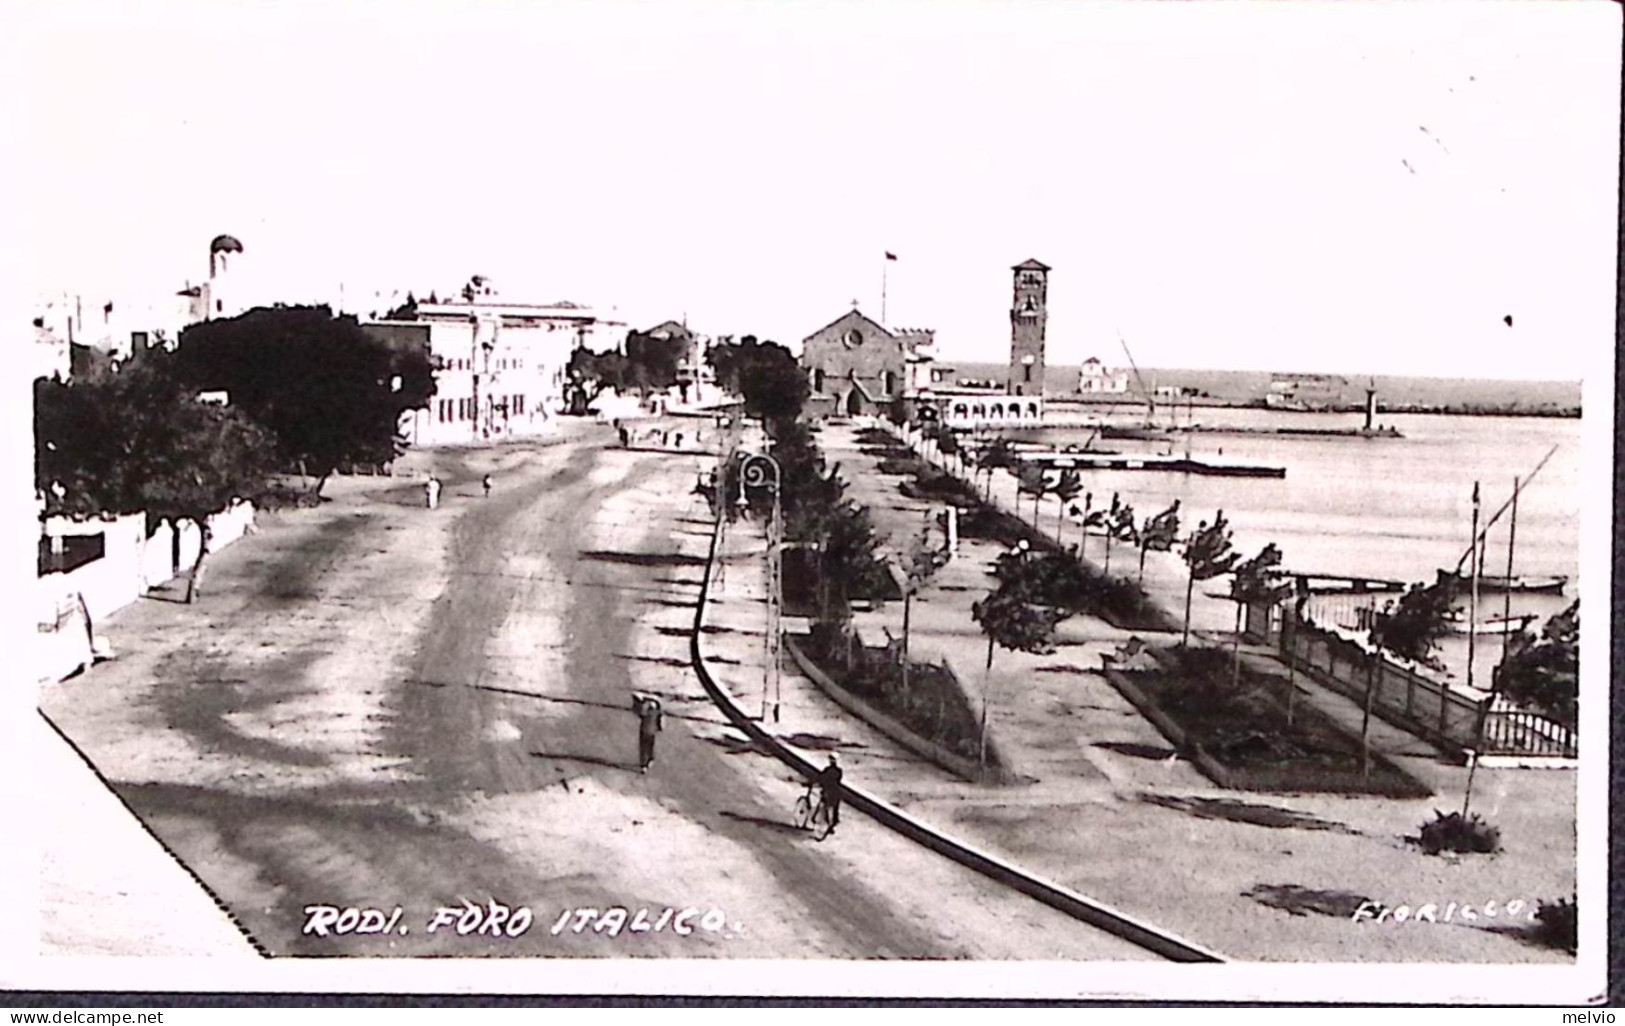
(1064, 900)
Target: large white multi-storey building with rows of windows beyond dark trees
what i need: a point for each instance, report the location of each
(500, 367)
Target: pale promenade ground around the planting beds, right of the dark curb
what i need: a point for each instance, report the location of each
(1114, 812)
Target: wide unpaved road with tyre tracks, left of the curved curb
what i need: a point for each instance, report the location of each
(423, 713)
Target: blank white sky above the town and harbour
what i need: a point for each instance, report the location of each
(1294, 186)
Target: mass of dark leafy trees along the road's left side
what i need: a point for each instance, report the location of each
(181, 435)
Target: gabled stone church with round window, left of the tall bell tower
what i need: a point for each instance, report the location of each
(857, 367)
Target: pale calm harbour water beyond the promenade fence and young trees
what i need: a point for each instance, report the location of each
(1377, 508)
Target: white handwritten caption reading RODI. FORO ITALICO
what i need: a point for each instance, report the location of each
(500, 919)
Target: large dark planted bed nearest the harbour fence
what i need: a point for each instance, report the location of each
(1239, 736)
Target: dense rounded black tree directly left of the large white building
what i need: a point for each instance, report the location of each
(327, 391)
